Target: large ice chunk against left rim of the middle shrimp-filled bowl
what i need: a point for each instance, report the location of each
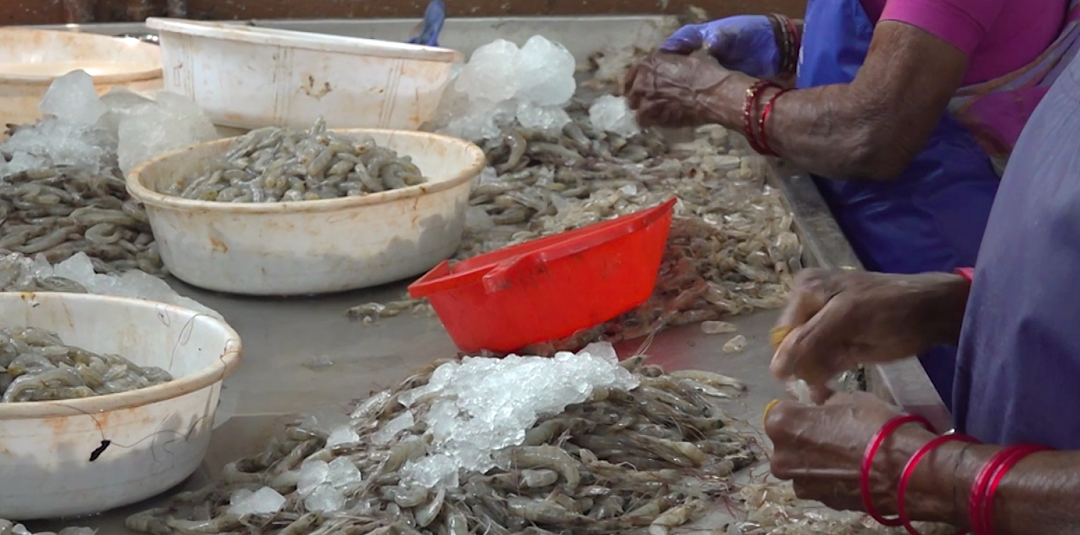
(174, 123)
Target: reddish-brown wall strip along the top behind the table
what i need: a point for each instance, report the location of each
(18, 12)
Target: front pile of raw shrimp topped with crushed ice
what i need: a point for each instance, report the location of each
(652, 451)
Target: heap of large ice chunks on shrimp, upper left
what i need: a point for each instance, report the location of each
(99, 135)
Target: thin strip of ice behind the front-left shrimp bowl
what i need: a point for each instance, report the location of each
(80, 270)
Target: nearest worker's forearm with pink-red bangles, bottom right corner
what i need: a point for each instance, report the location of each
(1038, 497)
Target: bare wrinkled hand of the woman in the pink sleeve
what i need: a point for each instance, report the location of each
(668, 90)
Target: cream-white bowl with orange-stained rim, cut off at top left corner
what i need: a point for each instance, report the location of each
(32, 59)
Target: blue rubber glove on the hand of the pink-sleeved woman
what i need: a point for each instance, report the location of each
(746, 44)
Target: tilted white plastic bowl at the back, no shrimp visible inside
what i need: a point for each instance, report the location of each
(248, 77)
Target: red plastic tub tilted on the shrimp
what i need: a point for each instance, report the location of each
(550, 288)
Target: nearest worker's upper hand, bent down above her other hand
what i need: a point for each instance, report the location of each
(842, 319)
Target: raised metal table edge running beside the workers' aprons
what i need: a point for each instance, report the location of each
(825, 245)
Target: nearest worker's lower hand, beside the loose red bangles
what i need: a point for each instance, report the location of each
(820, 449)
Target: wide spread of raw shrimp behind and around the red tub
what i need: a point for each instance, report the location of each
(732, 249)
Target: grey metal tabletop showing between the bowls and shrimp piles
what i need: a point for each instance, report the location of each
(280, 336)
